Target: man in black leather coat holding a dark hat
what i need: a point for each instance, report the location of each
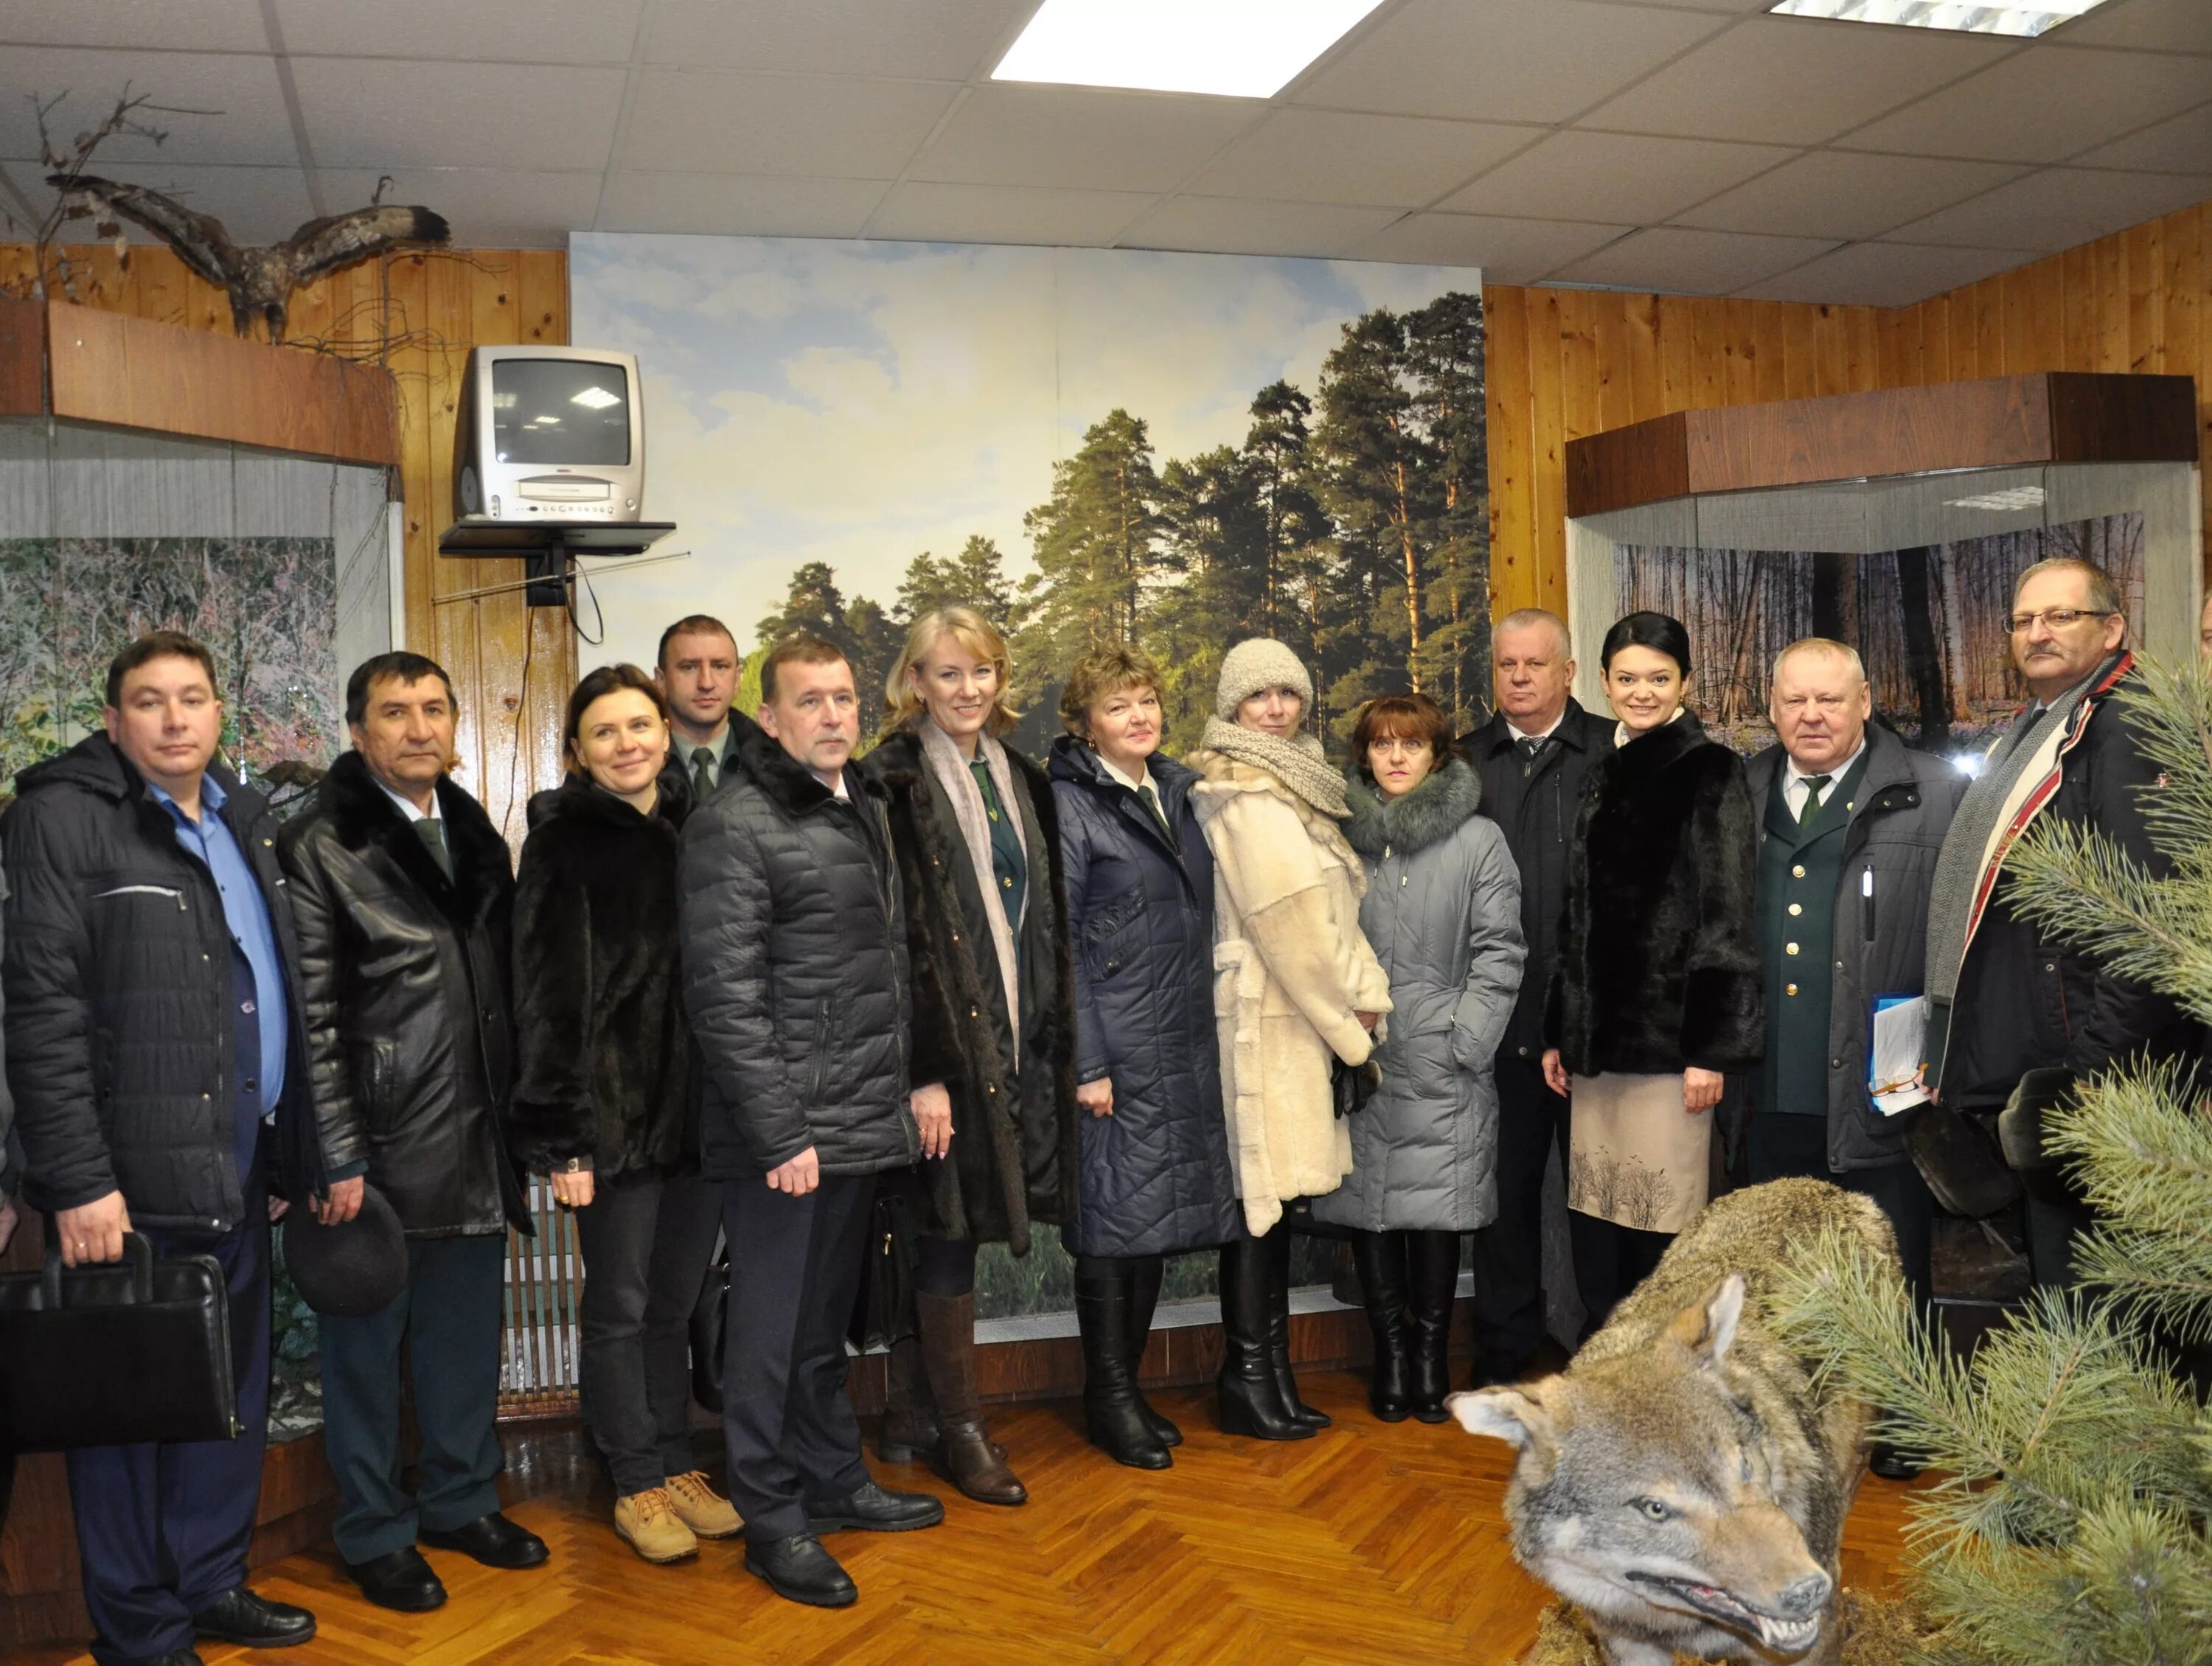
(404, 895)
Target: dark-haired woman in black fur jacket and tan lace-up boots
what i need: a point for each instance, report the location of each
(607, 1098)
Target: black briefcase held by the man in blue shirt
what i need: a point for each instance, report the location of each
(121, 1353)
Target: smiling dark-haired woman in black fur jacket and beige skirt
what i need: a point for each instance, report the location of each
(1658, 990)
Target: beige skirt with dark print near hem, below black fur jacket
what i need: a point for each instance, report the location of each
(1636, 1158)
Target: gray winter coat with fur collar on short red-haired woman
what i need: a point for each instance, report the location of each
(1443, 917)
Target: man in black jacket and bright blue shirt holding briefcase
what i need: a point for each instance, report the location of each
(160, 1074)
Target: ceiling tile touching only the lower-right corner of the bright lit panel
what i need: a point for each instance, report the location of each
(1388, 160)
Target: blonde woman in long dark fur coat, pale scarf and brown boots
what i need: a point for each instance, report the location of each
(977, 840)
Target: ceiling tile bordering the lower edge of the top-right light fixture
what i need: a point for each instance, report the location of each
(1793, 81)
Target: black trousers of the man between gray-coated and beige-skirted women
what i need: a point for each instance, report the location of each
(1510, 1251)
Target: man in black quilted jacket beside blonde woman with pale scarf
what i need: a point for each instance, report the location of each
(795, 975)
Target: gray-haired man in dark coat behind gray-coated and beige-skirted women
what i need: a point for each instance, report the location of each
(1532, 760)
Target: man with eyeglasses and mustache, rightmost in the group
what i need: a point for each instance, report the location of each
(2005, 1003)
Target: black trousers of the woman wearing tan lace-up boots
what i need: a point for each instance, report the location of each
(647, 1242)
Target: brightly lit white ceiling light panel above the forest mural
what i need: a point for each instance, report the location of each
(1227, 48)
